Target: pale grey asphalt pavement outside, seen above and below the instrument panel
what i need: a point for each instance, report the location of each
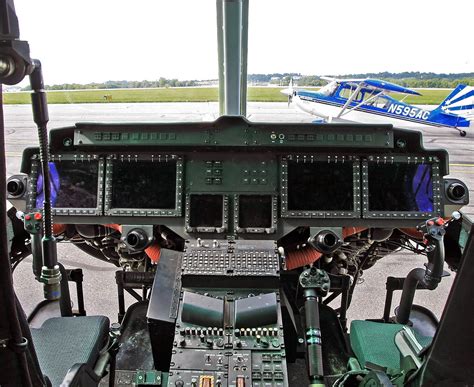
(99, 285)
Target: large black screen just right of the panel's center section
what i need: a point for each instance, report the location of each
(320, 186)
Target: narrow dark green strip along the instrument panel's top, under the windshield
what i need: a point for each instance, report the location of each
(239, 135)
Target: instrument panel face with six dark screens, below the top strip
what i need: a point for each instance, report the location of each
(293, 186)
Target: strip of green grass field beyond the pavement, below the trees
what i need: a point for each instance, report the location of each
(189, 94)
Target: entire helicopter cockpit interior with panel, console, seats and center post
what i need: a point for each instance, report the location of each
(241, 242)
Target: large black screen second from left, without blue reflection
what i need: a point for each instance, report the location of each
(144, 184)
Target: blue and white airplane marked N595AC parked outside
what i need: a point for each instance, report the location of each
(368, 101)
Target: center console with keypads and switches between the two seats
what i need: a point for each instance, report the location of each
(229, 328)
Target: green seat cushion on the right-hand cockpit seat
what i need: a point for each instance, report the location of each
(375, 343)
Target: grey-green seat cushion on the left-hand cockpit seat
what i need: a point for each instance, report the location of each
(62, 342)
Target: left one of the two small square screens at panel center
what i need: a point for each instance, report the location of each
(206, 211)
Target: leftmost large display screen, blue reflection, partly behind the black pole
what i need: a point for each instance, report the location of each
(74, 184)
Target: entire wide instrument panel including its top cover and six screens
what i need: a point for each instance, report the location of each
(273, 177)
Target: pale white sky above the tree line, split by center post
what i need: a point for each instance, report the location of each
(98, 40)
